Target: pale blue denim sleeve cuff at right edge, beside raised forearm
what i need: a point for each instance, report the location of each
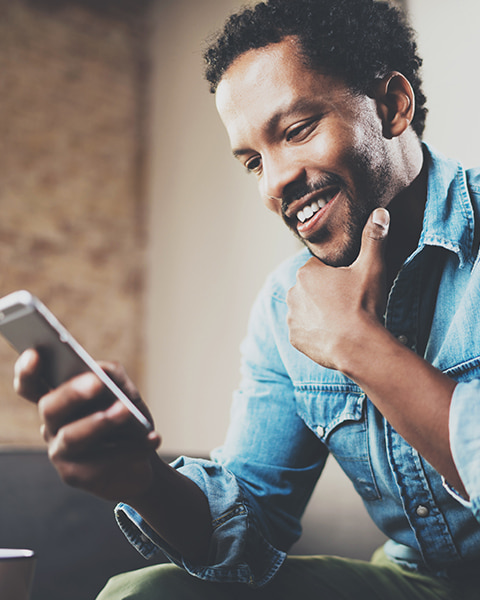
(465, 441)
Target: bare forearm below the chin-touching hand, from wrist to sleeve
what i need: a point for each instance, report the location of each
(411, 394)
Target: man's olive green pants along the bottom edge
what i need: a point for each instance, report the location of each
(301, 578)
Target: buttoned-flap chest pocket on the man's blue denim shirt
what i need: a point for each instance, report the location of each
(339, 418)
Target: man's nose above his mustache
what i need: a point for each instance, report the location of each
(278, 172)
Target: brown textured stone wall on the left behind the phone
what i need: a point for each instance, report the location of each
(72, 75)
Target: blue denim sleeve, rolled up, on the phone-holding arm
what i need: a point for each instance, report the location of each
(258, 483)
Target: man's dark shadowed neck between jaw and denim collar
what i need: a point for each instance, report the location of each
(406, 219)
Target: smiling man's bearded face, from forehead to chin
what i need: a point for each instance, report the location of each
(316, 147)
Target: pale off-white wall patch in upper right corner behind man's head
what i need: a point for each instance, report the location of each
(449, 43)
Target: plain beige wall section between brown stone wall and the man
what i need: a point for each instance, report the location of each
(211, 240)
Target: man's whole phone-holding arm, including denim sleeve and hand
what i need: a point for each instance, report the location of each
(257, 484)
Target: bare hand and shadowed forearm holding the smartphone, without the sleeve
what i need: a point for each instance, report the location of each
(95, 446)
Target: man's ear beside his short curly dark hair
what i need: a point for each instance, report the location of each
(396, 104)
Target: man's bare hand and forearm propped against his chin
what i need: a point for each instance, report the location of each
(335, 319)
